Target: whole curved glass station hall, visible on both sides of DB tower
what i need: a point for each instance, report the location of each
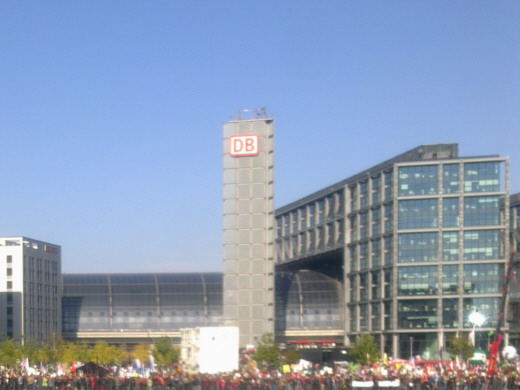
(170, 301)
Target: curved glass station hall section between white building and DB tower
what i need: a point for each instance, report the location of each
(141, 301)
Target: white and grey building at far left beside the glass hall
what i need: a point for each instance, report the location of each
(30, 289)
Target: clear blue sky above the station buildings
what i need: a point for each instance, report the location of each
(111, 112)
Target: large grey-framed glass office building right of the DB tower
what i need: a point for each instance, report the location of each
(417, 242)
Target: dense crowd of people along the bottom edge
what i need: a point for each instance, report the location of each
(382, 377)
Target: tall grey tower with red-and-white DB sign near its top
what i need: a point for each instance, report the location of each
(248, 225)
